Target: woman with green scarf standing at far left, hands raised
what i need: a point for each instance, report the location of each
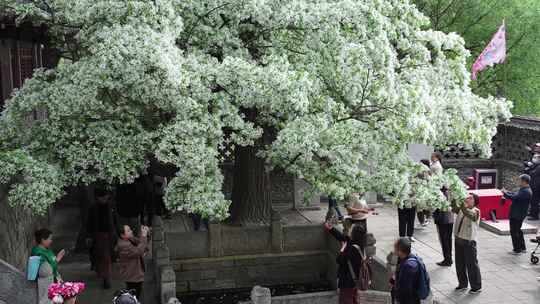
(48, 269)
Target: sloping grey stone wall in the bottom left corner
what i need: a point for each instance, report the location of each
(14, 288)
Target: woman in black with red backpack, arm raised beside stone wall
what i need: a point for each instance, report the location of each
(349, 260)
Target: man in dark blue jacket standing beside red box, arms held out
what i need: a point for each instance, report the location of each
(518, 212)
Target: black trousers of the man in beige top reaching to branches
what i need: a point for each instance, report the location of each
(467, 268)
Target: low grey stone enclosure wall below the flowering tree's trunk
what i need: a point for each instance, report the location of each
(229, 258)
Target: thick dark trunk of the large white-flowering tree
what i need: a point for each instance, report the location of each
(251, 193)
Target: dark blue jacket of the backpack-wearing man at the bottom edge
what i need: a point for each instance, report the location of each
(407, 276)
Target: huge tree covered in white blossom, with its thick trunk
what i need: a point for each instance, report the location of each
(329, 90)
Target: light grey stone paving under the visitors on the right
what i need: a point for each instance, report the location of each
(505, 278)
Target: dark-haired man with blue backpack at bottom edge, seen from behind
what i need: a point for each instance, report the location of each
(404, 283)
